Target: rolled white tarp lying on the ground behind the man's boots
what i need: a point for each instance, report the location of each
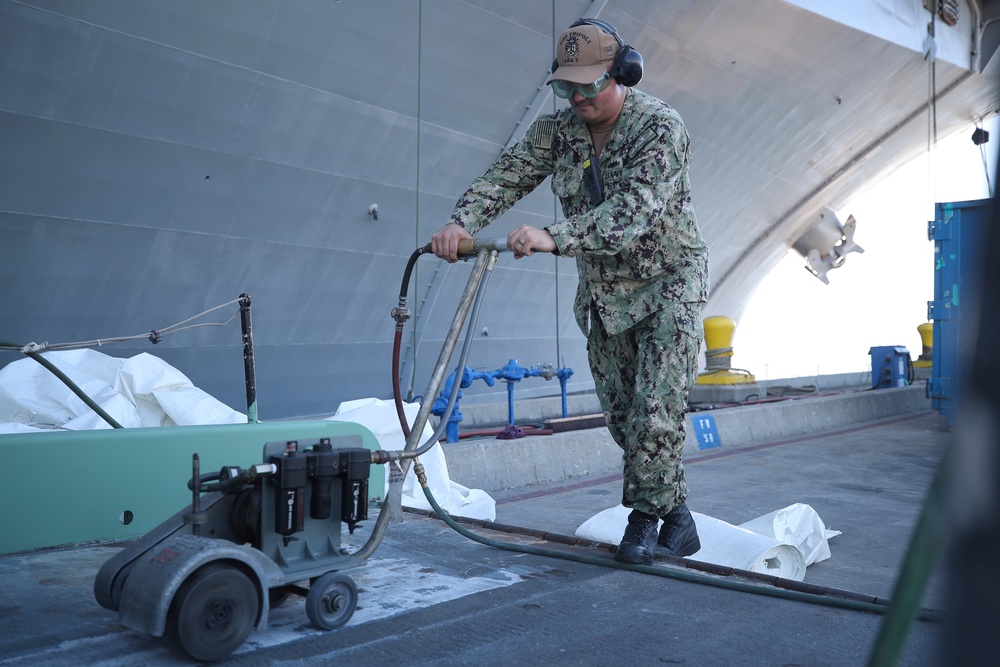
(782, 543)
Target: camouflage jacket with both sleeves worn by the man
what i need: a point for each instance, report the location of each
(641, 249)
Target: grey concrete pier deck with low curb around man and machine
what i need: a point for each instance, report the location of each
(430, 596)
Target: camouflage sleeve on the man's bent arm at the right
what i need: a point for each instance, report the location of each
(641, 198)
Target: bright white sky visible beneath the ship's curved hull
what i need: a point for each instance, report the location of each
(795, 326)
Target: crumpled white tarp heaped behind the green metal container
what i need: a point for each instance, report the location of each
(140, 391)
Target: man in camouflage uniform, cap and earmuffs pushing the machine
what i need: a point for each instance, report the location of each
(619, 165)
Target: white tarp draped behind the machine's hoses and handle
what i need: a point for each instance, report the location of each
(381, 419)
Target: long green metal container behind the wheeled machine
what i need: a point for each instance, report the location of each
(62, 488)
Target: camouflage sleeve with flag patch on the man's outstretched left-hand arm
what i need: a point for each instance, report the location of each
(518, 171)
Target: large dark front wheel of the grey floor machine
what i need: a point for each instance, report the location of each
(212, 613)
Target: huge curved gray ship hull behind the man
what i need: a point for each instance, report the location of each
(161, 158)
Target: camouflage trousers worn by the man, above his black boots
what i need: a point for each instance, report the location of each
(642, 377)
